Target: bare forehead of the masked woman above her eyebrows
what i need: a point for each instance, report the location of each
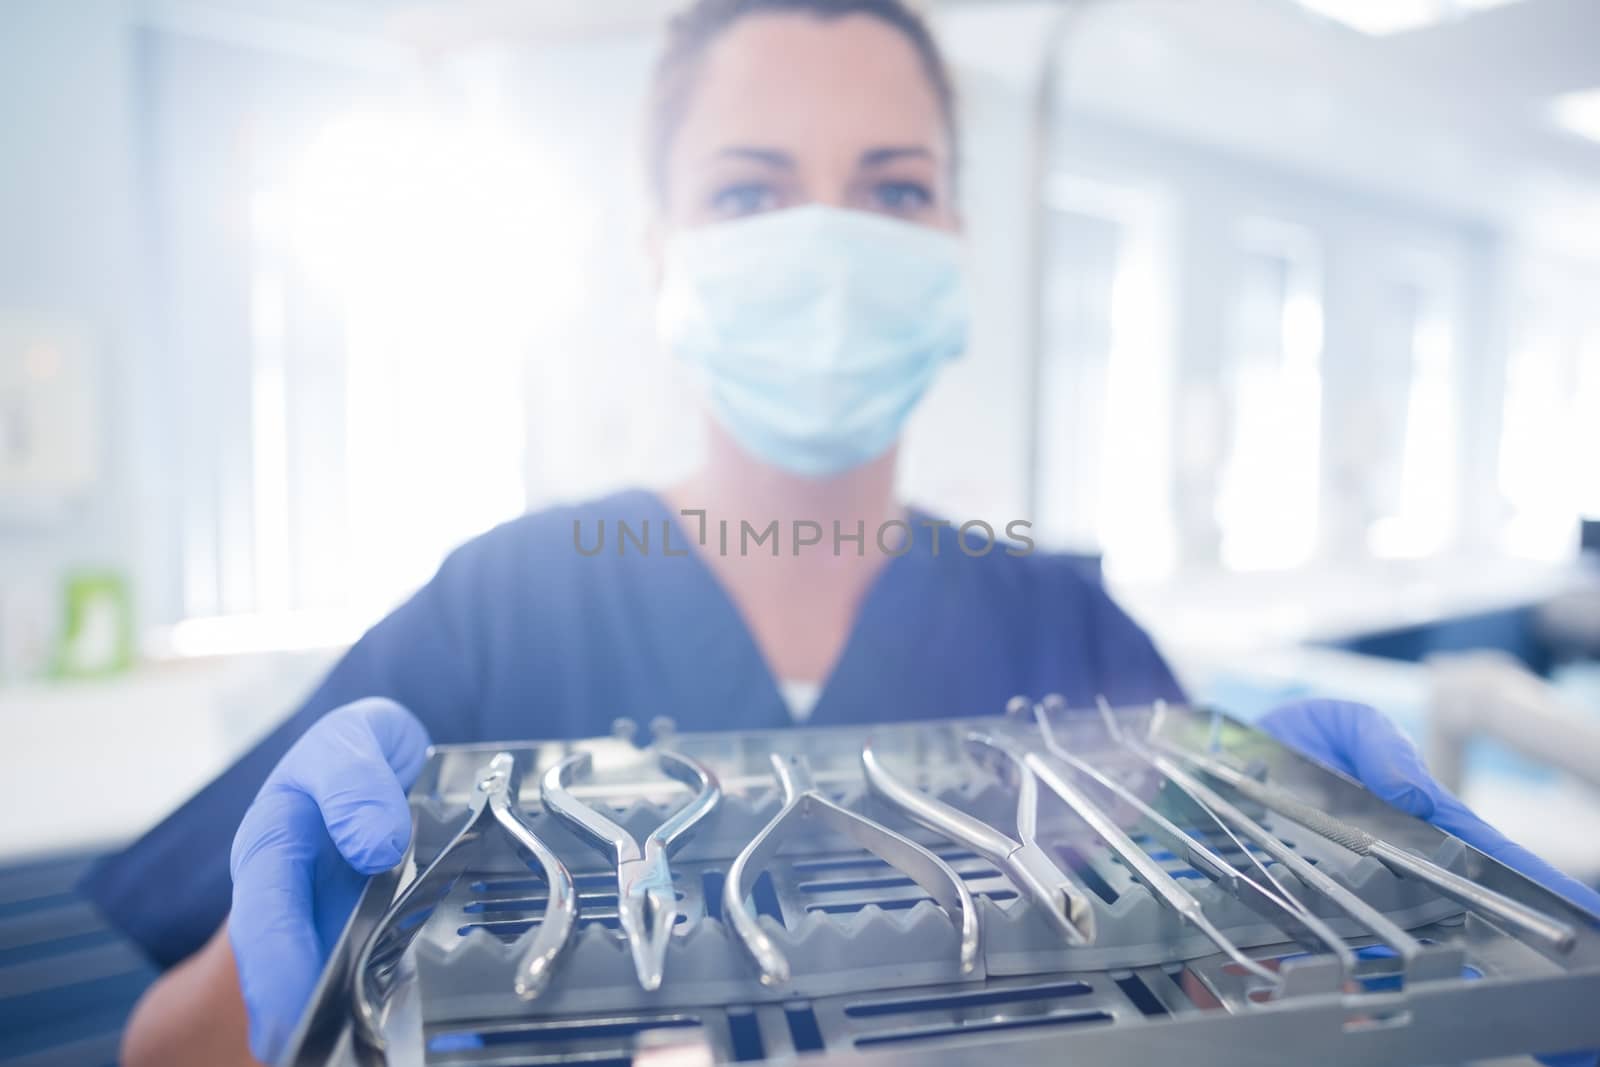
(796, 81)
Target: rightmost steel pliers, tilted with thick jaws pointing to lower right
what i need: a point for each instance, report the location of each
(1023, 861)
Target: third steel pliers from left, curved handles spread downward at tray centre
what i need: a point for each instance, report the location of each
(804, 804)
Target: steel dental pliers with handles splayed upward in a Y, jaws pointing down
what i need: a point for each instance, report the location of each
(647, 905)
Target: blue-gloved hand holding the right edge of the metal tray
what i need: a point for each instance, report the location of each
(1362, 743)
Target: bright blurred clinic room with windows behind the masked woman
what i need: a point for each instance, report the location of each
(1290, 310)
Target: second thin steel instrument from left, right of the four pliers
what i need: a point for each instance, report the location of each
(1273, 900)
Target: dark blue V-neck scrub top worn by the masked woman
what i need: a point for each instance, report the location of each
(522, 636)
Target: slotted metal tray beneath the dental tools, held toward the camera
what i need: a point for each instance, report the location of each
(874, 961)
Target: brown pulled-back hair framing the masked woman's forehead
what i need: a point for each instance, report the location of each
(703, 22)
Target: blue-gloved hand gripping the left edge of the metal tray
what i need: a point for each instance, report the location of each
(332, 813)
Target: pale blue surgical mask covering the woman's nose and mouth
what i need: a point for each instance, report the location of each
(814, 330)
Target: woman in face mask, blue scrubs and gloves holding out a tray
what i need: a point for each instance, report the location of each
(802, 156)
